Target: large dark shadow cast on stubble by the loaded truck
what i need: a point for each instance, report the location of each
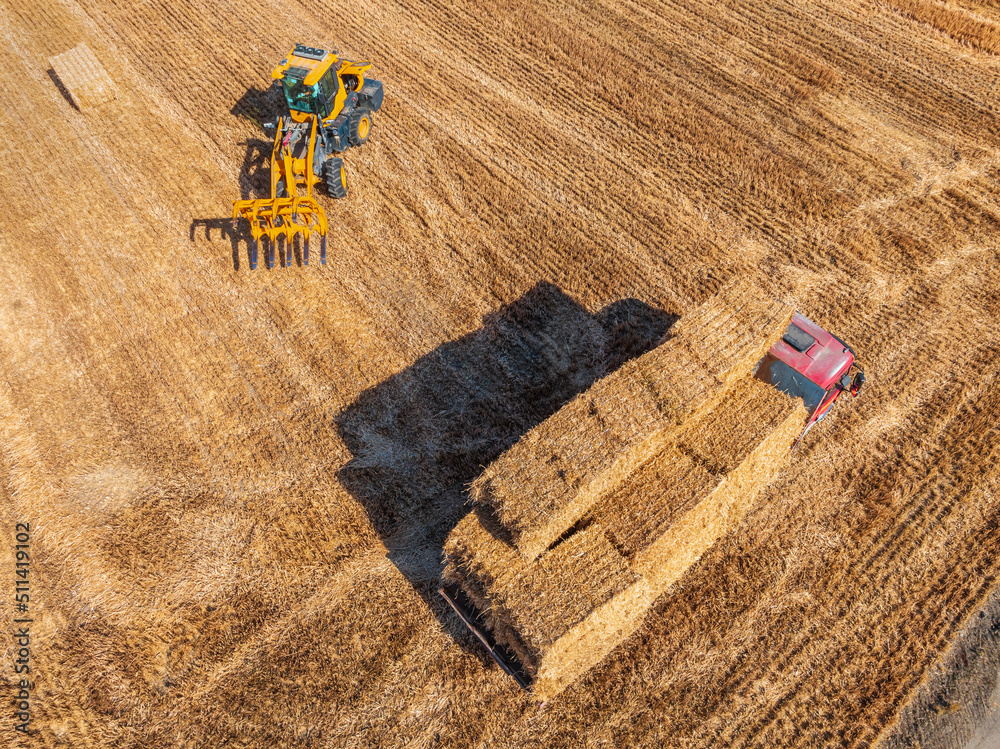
(420, 437)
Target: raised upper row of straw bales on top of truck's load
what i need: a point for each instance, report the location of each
(558, 471)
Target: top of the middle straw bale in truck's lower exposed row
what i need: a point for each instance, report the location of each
(663, 489)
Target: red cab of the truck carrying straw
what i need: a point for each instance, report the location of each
(811, 364)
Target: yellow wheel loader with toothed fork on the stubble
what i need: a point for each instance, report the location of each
(330, 108)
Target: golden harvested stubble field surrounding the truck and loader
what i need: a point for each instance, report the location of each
(239, 483)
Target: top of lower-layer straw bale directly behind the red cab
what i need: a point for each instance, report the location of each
(723, 438)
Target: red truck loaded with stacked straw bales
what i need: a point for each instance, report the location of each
(579, 527)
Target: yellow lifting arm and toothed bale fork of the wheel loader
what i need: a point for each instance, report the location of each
(288, 214)
